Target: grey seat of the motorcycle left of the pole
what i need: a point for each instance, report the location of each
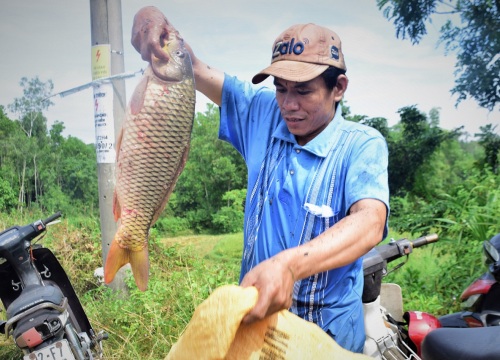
(33, 295)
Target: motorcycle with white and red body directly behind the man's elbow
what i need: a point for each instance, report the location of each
(390, 332)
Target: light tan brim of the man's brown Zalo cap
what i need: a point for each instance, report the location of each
(291, 71)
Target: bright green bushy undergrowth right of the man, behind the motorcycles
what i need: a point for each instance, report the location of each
(463, 219)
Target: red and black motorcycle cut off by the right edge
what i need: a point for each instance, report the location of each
(481, 299)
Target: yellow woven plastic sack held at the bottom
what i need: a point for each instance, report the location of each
(215, 332)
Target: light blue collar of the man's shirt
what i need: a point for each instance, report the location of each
(321, 144)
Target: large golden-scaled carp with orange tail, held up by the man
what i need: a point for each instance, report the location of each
(152, 150)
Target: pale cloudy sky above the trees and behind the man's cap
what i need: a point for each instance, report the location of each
(52, 40)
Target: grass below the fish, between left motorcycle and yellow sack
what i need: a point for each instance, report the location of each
(184, 271)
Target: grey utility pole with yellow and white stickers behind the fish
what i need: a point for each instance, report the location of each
(109, 110)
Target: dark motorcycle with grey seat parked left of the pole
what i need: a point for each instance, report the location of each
(44, 316)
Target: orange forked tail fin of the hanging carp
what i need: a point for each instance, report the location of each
(119, 256)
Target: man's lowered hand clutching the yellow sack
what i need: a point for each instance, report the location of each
(274, 280)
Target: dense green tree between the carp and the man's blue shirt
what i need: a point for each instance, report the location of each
(213, 169)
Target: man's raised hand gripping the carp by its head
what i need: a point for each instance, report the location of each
(149, 31)
